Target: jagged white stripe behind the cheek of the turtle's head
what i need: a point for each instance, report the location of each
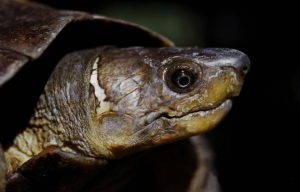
(99, 92)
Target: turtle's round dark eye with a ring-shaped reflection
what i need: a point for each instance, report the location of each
(182, 77)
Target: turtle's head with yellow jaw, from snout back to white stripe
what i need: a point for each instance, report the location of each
(144, 97)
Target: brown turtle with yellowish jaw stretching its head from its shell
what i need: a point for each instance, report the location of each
(91, 103)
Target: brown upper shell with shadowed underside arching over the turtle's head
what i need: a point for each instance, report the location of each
(27, 29)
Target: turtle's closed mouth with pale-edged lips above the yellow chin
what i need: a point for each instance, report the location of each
(154, 116)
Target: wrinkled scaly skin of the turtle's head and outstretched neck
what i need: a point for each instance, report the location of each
(110, 102)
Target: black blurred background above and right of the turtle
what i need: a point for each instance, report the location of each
(257, 144)
